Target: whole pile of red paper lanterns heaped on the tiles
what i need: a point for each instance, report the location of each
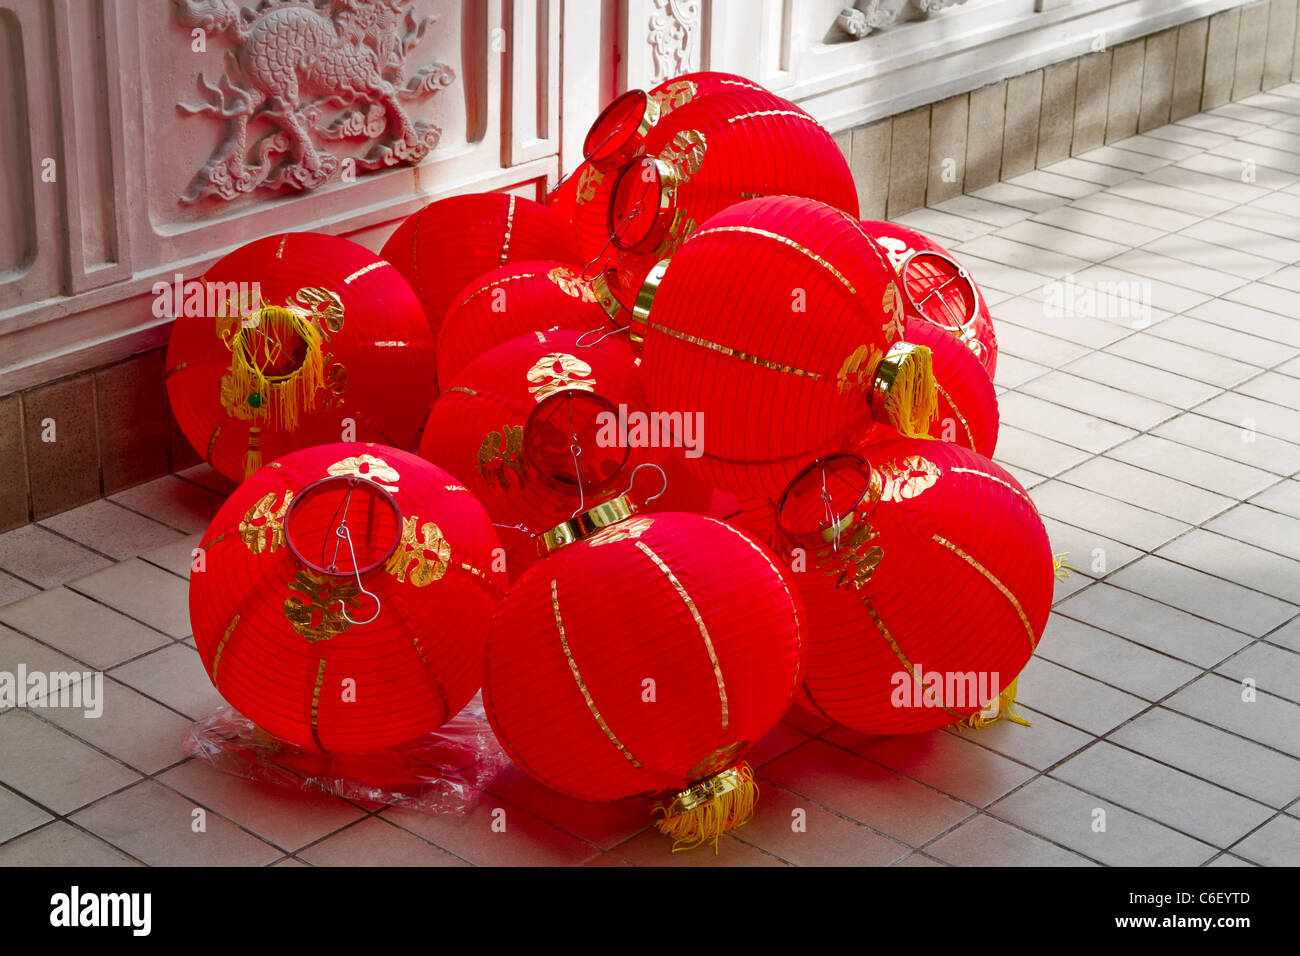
(697, 313)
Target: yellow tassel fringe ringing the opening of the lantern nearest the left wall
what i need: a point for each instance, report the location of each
(279, 399)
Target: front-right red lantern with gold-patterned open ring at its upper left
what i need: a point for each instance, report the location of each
(928, 590)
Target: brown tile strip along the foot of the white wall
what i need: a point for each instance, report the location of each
(114, 427)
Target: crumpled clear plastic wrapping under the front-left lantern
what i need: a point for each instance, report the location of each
(444, 772)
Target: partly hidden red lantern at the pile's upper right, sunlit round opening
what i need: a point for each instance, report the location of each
(939, 289)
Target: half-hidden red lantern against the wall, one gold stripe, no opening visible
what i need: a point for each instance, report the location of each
(449, 244)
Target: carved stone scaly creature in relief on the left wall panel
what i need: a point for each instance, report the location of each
(292, 63)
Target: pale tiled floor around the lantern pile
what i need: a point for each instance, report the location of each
(1164, 455)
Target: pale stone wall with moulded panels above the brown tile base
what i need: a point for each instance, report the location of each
(99, 158)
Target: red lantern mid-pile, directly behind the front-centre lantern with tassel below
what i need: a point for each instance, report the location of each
(509, 423)
